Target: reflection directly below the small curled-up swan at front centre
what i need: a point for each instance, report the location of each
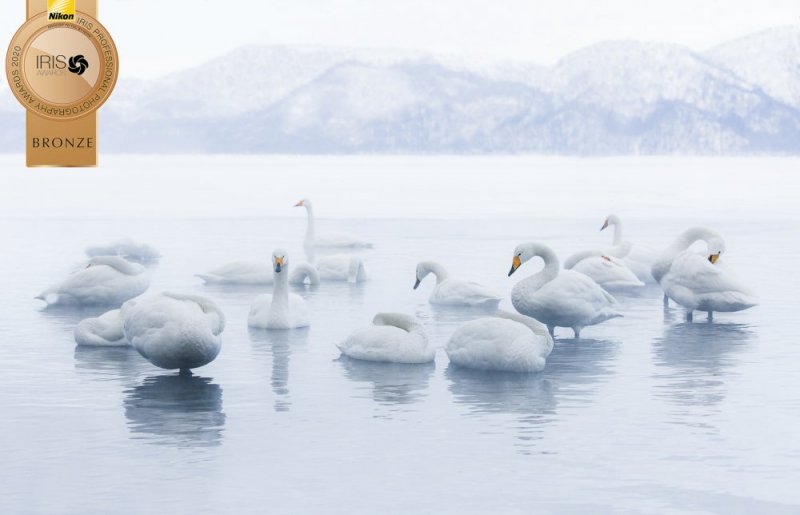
(390, 384)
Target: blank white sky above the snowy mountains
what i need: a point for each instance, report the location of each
(156, 37)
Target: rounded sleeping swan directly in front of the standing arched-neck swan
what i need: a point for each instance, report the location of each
(506, 342)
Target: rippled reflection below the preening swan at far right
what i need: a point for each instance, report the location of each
(694, 359)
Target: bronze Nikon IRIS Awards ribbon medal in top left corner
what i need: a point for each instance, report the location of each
(62, 65)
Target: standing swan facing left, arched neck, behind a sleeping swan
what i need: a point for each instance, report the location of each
(565, 299)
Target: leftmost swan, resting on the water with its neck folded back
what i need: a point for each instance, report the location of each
(105, 281)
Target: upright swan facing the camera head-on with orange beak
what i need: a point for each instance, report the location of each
(281, 310)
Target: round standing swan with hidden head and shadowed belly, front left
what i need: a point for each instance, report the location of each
(174, 331)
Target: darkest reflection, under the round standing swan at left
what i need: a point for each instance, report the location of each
(182, 410)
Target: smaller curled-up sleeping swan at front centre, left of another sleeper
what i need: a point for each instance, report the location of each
(392, 338)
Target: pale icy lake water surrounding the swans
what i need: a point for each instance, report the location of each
(645, 414)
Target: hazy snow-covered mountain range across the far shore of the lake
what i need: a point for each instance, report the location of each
(618, 97)
